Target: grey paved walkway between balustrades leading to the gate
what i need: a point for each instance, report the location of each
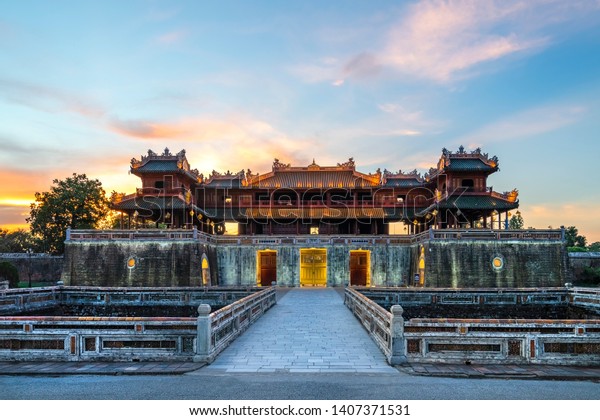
(309, 330)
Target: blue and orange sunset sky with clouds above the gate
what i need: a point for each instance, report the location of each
(86, 86)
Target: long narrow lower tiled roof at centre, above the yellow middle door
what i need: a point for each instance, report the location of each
(315, 213)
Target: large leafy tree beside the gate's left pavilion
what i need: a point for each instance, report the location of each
(76, 202)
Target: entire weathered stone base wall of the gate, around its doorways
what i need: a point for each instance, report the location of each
(454, 264)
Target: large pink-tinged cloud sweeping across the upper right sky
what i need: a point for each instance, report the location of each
(446, 40)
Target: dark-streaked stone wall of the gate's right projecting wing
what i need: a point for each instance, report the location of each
(481, 263)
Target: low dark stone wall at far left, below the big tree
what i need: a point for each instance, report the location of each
(43, 267)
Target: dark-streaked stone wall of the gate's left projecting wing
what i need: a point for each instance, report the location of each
(136, 263)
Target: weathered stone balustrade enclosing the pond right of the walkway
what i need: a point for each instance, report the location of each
(440, 340)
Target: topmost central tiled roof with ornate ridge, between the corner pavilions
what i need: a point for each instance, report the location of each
(314, 179)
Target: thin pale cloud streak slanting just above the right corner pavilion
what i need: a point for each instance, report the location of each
(527, 123)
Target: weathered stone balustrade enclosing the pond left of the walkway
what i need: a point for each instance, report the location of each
(125, 338)
